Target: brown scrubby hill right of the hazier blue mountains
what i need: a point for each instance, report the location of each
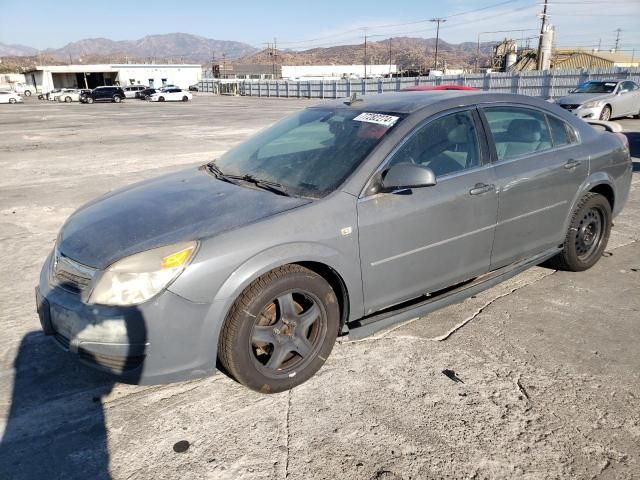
(406, 52)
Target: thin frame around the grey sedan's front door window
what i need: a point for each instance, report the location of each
(485, 160)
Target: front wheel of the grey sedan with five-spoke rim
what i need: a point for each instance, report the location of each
(262, 344)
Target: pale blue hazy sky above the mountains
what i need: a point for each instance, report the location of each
(306, 24)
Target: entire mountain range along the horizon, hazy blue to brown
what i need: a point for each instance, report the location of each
(406, 52)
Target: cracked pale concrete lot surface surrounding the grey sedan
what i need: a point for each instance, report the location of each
(548, 361)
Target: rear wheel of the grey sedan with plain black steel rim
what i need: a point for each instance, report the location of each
(588, 235)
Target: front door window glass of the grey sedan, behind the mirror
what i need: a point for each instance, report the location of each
(446, 145)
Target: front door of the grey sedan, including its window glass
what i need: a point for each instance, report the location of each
(418, 241)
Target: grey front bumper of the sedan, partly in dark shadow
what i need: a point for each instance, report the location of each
(160, 341)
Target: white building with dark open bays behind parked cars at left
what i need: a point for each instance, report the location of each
(48, 77)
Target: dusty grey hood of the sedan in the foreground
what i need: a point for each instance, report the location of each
(188, 205)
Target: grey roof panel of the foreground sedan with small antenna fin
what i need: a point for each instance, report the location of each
(411, 102)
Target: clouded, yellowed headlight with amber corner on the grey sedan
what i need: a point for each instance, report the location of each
(137, 278)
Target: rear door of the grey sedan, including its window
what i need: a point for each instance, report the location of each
(539, 168)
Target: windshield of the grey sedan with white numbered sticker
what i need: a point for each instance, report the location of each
(309, 153)
